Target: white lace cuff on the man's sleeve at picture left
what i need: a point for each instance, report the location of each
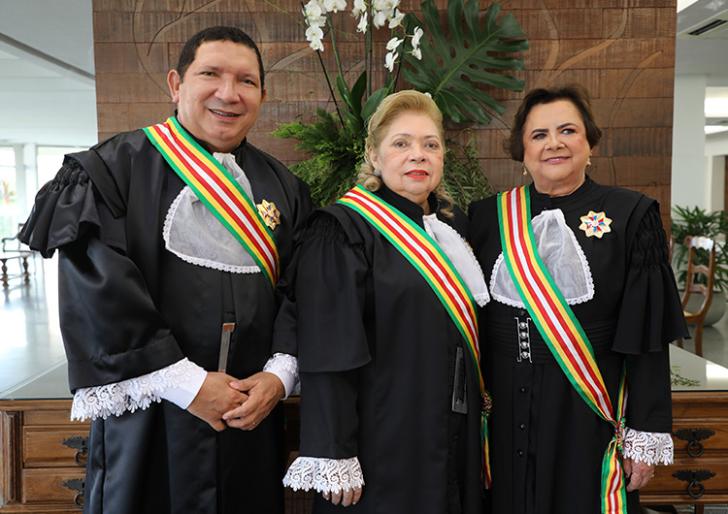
(128, 395)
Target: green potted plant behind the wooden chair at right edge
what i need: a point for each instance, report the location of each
(696, 221)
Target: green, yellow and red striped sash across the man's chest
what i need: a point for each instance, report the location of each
(218, 190)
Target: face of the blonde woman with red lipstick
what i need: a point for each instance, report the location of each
(410, 156)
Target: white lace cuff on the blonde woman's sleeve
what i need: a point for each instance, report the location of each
(324, 475)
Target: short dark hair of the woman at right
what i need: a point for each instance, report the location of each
(575, 94)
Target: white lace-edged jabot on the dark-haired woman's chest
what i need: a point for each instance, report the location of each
(562, 256)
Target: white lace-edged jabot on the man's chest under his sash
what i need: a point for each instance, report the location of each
(195, 235)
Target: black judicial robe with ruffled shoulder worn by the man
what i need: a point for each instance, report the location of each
(129, 307)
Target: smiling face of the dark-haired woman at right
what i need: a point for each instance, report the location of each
(556, 150)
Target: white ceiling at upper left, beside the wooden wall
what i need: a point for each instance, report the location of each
(47, 92)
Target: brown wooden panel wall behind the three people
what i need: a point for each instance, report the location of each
(622, 51)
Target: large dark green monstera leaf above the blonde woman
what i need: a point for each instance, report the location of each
(476, 50)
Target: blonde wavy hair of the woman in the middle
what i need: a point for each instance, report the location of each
(389, 109)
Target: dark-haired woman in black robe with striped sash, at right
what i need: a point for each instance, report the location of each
(585, 304)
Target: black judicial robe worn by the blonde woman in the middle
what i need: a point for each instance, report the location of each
(377, 357)
